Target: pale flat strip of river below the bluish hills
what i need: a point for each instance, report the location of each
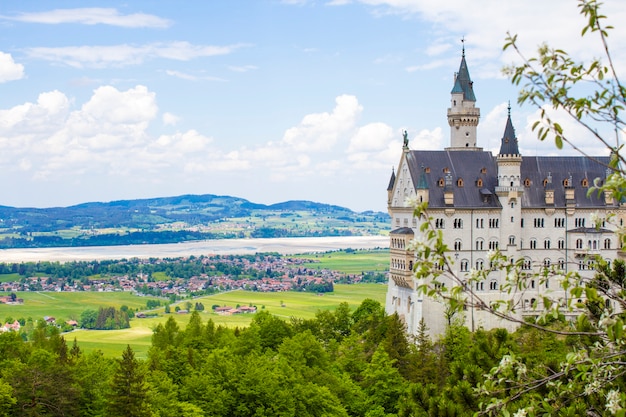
(283, 246)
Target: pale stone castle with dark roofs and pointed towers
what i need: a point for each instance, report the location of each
(534, 208)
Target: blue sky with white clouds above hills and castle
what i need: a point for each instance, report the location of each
(266, 100)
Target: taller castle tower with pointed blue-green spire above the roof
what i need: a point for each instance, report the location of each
(463, 116)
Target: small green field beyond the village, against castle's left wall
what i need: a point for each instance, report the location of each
(350, 262)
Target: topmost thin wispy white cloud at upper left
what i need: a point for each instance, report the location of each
(92, 16)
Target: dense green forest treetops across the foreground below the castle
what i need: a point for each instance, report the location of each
(341, 363)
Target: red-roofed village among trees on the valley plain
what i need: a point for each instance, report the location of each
(261, 272)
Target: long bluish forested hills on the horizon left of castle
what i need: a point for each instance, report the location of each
(177, 219)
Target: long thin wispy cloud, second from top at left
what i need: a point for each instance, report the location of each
(124, 55)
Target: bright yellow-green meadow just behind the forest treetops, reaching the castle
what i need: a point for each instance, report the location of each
(303, 305)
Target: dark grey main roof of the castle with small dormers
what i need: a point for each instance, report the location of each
(474, 178)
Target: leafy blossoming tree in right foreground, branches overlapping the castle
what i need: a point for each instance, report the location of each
(589, 380)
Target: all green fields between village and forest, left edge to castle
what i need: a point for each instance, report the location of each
(113, 342)
